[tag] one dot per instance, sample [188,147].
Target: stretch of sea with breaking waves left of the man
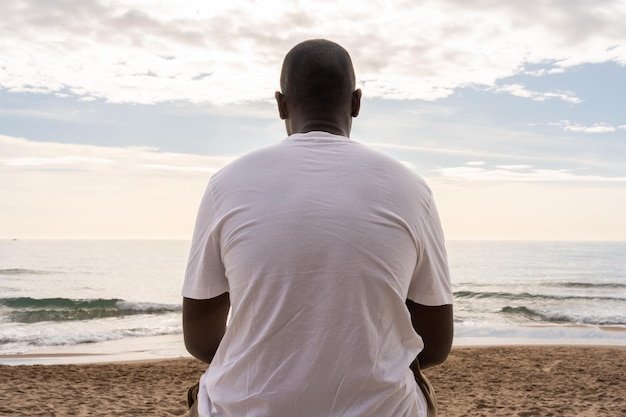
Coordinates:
[74,295]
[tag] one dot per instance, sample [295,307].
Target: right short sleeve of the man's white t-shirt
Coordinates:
[430,284]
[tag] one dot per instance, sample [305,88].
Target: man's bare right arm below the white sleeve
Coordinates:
[435,325]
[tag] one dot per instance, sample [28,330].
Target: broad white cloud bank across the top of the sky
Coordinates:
[220,52]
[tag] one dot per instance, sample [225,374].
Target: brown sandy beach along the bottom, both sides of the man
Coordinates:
[477,381]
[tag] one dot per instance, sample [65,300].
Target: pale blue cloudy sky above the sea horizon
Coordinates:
[115,113]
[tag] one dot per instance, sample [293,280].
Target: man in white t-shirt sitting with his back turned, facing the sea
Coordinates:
[332,259]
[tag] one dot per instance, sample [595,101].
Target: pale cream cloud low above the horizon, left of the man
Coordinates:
[53,189]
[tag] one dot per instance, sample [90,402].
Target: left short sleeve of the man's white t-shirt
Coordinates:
[205,276]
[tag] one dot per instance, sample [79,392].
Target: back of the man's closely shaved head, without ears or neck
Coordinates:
[317,75]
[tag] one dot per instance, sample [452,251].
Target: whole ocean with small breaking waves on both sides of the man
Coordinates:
[106,297]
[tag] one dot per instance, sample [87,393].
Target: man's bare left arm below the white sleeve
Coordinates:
[204,324]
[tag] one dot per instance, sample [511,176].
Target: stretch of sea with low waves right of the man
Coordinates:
[559,292]
